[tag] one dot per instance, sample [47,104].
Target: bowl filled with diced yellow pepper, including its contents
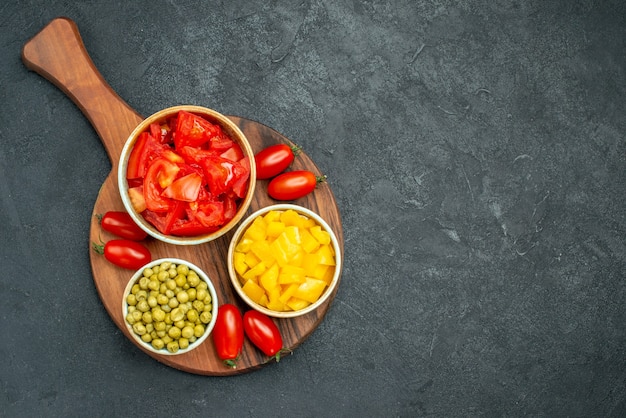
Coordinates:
[284,260]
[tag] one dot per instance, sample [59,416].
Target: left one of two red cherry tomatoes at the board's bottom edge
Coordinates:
[228,334]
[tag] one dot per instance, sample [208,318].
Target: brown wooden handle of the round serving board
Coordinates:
[58,54]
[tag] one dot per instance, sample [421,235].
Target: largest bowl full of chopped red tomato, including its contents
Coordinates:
[187,175]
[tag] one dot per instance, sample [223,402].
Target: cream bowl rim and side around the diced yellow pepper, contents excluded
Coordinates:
[234,275]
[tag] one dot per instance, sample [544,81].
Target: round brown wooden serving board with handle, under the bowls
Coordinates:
[58,54]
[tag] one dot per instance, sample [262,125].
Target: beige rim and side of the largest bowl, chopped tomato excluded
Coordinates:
[229,128]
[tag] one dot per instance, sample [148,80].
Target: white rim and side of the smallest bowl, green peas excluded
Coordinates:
[207,327]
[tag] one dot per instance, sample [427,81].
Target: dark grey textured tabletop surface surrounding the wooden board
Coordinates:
[477,154]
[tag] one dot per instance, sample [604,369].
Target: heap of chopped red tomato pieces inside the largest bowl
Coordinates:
[187,175]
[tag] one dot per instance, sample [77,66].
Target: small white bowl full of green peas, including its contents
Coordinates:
[169,306]
